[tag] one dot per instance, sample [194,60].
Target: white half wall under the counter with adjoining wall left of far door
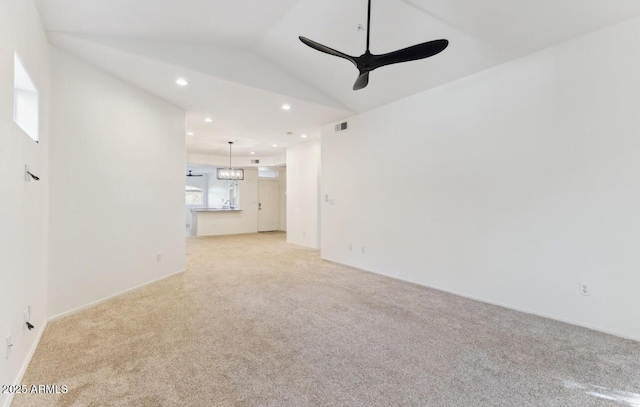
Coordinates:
[231,223]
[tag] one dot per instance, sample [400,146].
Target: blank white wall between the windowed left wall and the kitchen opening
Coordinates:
[117,162]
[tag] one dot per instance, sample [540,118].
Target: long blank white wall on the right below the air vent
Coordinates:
[512,185]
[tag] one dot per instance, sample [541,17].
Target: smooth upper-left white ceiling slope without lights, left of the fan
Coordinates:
[236,22]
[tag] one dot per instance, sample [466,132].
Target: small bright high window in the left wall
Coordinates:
[25,100]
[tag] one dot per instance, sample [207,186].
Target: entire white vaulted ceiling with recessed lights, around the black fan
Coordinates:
[243,58]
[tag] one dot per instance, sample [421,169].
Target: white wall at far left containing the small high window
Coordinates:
[23,205]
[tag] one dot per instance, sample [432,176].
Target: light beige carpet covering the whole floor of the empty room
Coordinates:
[257,322]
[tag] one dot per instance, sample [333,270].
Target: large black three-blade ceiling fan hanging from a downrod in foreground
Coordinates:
[367,62]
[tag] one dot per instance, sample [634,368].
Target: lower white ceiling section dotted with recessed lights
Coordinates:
[250,116]
